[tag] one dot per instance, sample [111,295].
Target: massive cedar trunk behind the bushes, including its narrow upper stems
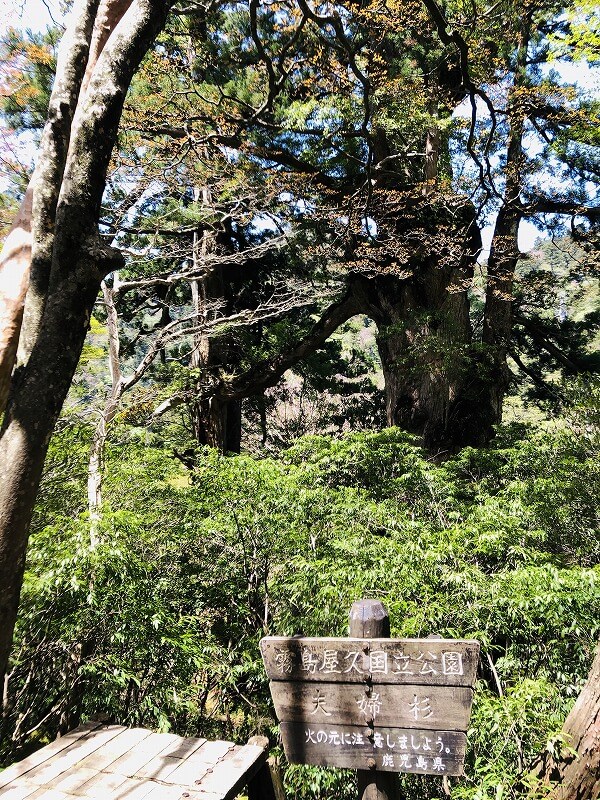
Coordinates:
[424,331]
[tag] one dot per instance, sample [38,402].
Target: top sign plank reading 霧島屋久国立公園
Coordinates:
[422,662]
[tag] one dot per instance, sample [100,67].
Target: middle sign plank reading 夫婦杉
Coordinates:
[432,707]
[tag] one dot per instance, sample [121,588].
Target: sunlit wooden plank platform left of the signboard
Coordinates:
[110,762]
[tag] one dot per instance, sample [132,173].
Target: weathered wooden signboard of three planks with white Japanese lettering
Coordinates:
[397,705]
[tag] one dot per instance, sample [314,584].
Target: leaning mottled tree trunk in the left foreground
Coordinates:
[79,261]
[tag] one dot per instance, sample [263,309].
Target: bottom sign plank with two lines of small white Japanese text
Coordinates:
[423,752]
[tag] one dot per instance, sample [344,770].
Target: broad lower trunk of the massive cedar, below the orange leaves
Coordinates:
[424,342]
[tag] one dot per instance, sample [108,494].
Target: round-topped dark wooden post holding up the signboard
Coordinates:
[369,619]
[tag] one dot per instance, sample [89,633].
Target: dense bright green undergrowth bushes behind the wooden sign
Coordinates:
[157,622]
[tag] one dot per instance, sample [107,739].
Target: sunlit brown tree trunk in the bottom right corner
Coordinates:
[574,772]
